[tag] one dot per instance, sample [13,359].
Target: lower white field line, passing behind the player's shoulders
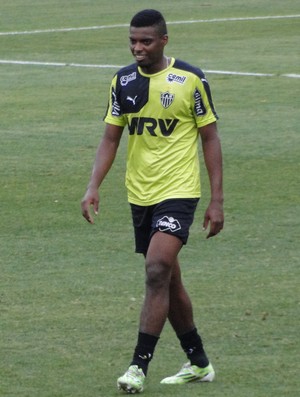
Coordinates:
[95,66]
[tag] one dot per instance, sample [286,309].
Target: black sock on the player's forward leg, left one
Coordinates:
[144,351]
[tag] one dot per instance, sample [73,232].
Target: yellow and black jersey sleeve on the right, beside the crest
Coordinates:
[203,107]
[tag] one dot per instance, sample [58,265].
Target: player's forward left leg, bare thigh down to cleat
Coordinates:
[160,260]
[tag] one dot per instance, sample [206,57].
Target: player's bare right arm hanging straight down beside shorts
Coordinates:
[211,146]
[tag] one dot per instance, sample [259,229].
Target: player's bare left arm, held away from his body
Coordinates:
[105,156]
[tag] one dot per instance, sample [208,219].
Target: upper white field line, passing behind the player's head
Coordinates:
[267,17]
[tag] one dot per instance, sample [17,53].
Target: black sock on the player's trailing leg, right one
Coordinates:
[192,345]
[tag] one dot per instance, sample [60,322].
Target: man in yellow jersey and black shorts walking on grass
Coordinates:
[167,105]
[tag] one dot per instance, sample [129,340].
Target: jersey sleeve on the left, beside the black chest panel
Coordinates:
[114,113]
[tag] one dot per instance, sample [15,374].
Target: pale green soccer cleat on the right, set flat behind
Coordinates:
[191,373]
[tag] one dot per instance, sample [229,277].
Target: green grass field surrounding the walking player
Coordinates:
[70,293]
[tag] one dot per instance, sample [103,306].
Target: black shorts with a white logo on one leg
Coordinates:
[173,216]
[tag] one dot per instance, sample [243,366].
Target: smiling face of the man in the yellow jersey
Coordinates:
[147,47]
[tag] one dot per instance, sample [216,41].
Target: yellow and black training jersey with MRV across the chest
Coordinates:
[163,112]
